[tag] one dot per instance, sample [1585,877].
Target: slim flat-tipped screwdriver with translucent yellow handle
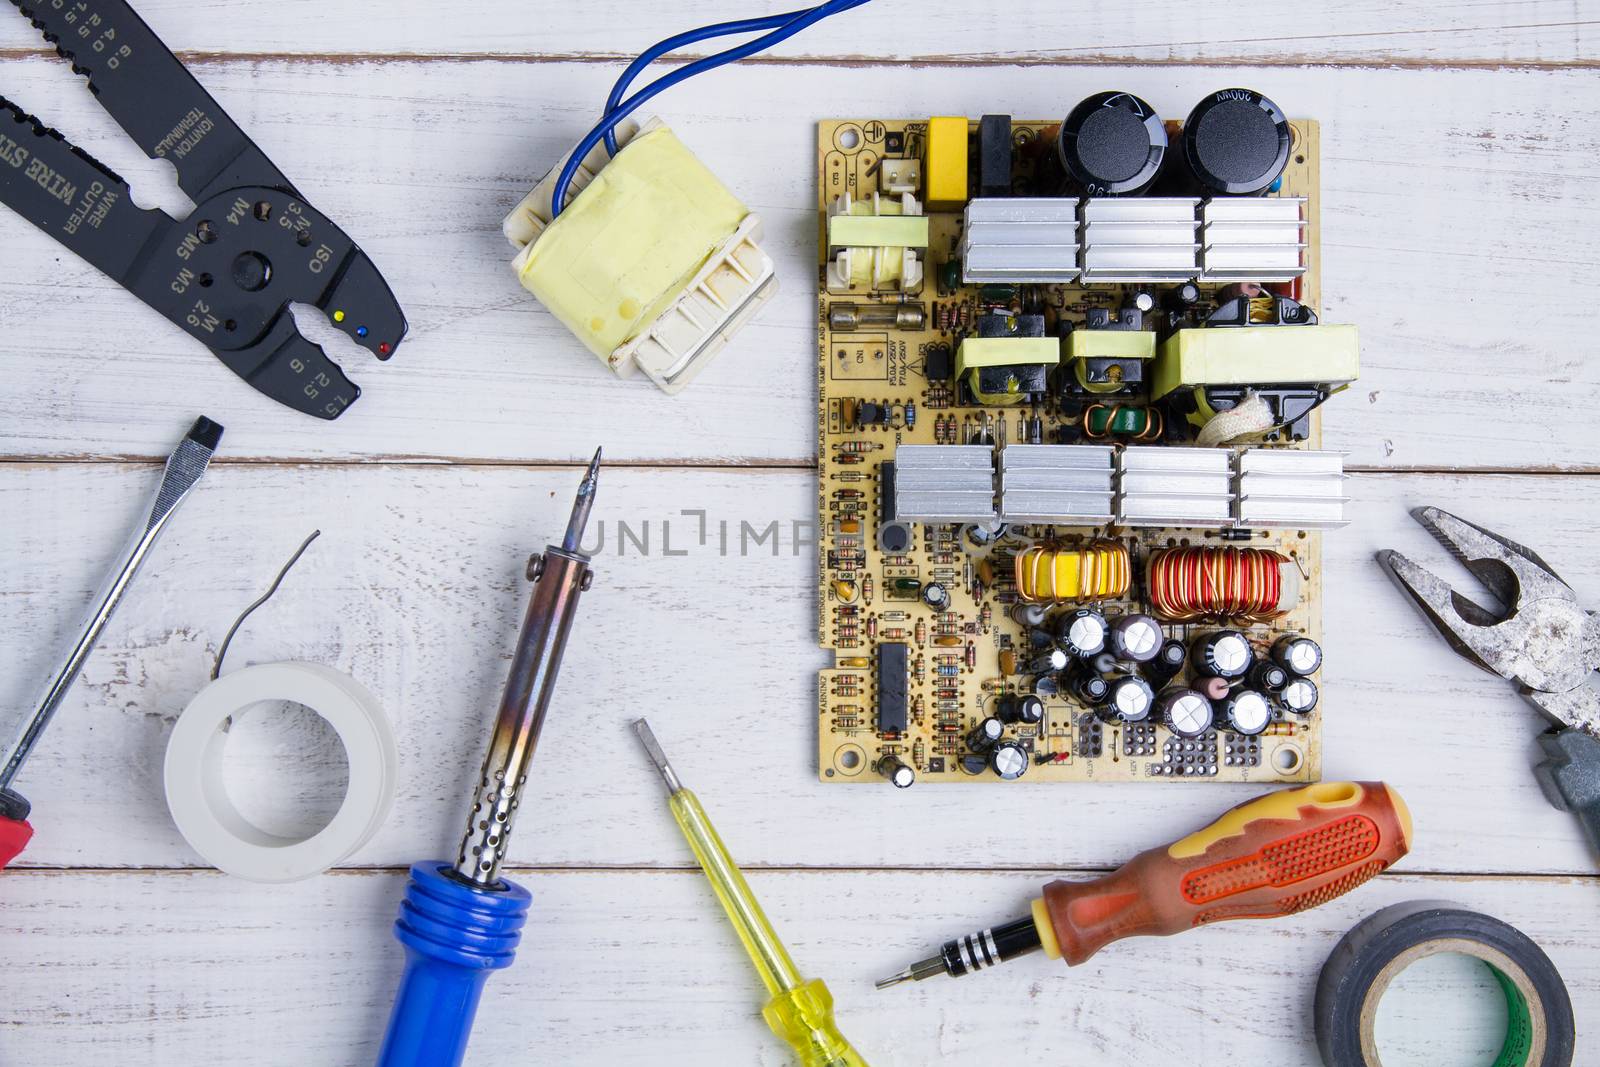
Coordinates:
[801,1012]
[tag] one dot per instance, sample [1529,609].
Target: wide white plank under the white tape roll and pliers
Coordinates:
[417,591]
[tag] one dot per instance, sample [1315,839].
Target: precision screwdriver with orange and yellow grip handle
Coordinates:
[1271,857]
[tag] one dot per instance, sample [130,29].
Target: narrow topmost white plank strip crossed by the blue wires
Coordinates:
[1450,33]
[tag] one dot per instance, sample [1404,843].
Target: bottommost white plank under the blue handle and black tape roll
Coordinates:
[641,969]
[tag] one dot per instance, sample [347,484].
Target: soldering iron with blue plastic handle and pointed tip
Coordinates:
[462,919]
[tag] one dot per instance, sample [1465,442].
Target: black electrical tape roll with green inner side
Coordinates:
[1538,1010]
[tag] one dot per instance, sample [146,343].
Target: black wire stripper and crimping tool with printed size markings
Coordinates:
[226,274]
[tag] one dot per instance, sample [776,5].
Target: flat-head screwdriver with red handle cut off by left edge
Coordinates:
[180,478]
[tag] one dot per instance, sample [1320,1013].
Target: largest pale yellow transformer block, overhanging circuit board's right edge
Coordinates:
[1268,356]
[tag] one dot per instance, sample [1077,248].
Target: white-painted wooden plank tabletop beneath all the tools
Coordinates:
[1460,217]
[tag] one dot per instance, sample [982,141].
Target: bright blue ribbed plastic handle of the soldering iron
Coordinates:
[454,937]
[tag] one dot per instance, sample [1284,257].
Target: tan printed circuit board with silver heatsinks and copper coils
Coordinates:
[988,597]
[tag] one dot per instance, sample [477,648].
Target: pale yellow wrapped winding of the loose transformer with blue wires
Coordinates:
[628,247]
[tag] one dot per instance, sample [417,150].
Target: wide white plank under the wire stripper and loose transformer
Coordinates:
[1457,220]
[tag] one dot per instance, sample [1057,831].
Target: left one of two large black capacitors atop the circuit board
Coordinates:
[1111,146]
